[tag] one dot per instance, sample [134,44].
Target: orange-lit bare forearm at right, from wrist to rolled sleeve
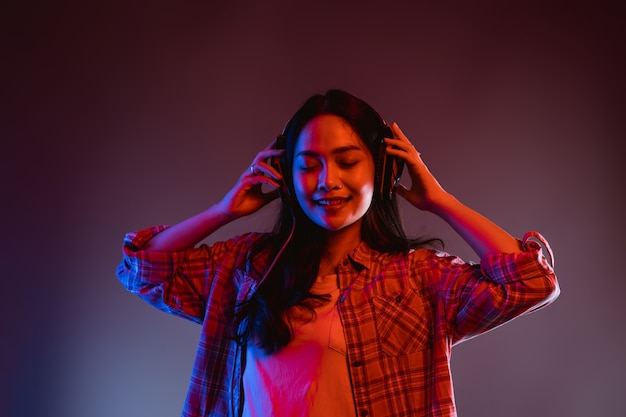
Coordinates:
[480,233]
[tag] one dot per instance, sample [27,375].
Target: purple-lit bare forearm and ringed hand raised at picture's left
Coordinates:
[246,197]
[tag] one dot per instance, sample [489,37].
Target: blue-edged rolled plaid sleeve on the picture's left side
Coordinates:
[179,283]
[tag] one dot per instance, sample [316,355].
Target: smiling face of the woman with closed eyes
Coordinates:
[333,173]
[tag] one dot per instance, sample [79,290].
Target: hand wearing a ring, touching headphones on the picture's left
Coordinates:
[247,195]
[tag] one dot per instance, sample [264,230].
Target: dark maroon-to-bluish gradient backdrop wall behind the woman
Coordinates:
[121,115]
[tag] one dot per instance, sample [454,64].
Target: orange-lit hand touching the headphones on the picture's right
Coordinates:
[425,192]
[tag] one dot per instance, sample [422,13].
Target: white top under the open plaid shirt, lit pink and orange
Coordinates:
[308,377]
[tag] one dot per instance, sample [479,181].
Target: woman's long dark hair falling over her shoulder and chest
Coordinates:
[263,317]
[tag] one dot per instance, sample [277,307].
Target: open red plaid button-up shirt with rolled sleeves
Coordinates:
[401,313]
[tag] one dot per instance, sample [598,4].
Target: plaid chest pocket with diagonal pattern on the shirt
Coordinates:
[403,322]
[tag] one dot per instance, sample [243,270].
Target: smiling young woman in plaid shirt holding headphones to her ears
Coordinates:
[337,312]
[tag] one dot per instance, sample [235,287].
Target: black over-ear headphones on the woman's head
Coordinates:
[388,169]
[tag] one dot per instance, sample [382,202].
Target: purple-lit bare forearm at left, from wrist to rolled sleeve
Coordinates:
[189,232]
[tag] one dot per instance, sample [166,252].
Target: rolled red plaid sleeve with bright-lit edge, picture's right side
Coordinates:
[504,286]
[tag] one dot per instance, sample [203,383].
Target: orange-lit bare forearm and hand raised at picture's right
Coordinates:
[427,194]
